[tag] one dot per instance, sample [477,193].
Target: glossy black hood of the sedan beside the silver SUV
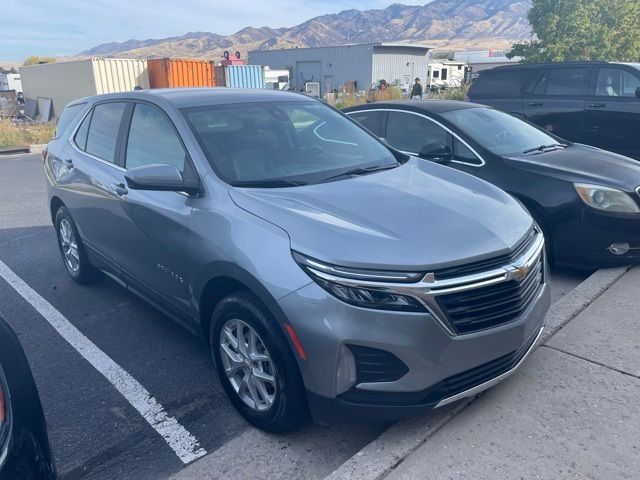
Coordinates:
[582,163]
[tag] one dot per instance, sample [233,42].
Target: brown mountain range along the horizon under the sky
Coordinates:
[448,24]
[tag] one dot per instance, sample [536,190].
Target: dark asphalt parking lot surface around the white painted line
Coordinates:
[95,432]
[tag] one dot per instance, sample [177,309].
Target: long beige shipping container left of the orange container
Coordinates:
[64,82]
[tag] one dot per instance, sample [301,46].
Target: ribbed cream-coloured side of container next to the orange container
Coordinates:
[119,74]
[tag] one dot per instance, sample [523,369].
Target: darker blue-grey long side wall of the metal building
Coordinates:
[337,64]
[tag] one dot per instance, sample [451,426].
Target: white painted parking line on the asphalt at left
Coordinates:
[184,444]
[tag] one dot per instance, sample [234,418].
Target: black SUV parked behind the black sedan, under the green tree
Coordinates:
[597,103]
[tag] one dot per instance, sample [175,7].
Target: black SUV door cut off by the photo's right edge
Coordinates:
[613,110]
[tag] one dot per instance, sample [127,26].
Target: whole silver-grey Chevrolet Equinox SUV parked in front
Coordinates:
[330,274]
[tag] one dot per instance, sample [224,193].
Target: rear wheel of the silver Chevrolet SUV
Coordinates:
[75,260]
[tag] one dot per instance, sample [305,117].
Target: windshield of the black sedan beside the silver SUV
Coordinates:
[499,132]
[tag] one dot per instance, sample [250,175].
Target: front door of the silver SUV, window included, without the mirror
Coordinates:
[154,224]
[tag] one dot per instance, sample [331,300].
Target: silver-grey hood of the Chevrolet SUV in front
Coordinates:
[414,217]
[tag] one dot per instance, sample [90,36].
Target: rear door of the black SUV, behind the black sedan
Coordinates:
[557,101]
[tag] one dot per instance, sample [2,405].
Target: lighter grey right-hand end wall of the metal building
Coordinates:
[399,63]
